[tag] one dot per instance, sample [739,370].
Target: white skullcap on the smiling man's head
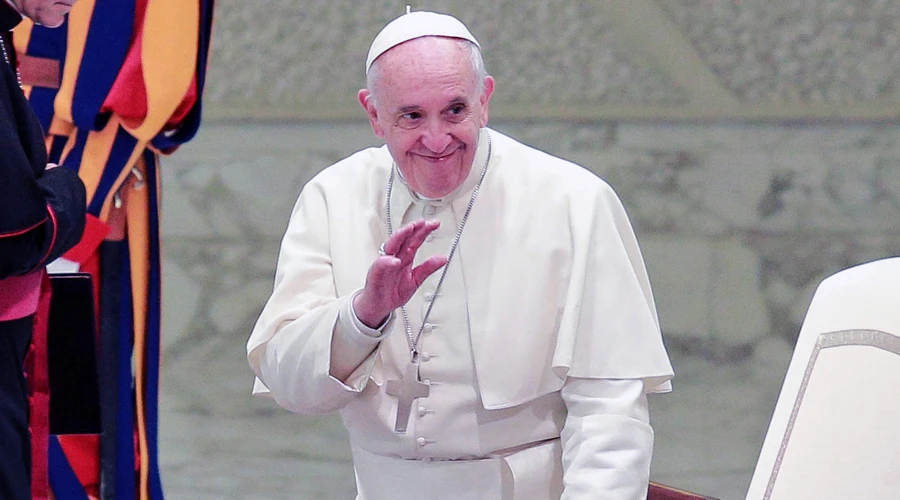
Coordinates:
[416,25]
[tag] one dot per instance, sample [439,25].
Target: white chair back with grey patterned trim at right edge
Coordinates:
[835,431]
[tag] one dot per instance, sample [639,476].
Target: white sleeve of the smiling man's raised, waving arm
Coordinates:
[305,327]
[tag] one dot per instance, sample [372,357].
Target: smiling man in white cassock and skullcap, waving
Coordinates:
[477,310]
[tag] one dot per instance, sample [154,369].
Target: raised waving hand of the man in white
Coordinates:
[392,280]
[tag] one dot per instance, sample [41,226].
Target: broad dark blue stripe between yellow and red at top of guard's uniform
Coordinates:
[108,40]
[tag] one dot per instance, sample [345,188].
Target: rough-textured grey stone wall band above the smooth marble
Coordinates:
[578,58]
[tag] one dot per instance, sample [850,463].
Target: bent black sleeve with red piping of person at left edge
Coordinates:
[65,198]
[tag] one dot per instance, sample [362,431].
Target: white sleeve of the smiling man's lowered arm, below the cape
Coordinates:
[607,440]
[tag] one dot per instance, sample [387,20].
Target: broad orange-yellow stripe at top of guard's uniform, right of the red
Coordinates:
[169,58]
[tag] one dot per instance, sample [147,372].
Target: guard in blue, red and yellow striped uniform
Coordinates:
[116,87]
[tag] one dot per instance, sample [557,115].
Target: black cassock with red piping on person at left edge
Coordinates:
[41,216]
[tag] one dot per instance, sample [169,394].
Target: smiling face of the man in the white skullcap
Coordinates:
[429,109]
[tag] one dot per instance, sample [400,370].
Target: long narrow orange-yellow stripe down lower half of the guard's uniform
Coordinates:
[138,229]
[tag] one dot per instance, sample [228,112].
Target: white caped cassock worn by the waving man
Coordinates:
[540,349]
